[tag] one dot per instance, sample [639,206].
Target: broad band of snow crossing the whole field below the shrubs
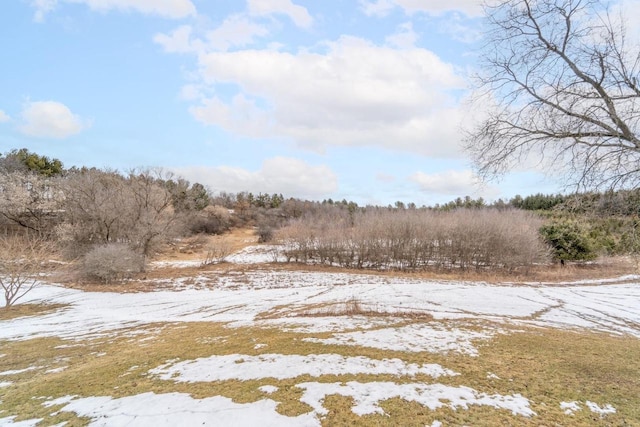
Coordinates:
[240,297]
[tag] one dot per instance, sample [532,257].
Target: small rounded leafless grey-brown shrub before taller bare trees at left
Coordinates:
[112,262]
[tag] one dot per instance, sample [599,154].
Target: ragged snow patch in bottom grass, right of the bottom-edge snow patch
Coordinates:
[367,396]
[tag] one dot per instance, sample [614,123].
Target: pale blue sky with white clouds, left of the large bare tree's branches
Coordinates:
[363,100]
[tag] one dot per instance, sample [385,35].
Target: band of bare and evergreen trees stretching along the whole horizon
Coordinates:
[83,210]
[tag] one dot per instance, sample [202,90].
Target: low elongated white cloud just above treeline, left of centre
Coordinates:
[291,177]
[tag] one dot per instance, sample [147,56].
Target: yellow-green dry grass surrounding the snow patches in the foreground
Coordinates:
[545,366]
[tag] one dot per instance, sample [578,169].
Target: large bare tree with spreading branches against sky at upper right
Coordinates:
[563,77]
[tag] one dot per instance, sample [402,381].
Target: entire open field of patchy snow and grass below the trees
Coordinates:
[248,343]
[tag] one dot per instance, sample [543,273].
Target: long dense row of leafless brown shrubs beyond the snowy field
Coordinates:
[412,239]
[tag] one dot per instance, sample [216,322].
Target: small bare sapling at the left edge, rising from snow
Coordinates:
[21,260]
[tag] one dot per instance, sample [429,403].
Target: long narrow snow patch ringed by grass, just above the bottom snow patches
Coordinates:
[245,367]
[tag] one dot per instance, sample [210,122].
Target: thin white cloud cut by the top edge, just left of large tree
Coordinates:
[432,7]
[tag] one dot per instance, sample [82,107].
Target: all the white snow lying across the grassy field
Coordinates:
[464,314]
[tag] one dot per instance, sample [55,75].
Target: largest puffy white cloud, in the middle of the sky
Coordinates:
[354,94]
